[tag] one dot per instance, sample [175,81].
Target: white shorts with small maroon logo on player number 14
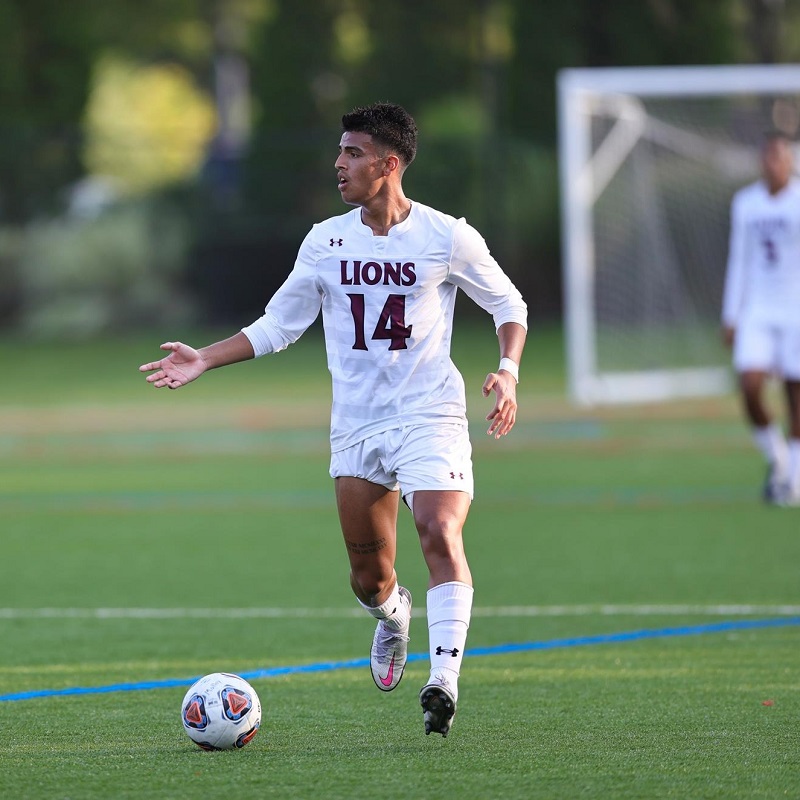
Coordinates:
[434,457]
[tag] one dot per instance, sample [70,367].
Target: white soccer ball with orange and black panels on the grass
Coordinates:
[221,712]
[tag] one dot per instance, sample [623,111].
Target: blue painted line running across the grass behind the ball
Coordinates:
[359,663]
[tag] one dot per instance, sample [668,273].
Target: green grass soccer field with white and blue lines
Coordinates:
[154,536]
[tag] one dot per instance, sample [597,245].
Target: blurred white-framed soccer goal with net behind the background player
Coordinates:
[649,161]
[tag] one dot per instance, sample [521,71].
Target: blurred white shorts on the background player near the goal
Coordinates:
[767,348]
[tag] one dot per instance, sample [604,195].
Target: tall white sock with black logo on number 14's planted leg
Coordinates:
[449,612]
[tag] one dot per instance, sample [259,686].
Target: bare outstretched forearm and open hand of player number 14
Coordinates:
[185,364]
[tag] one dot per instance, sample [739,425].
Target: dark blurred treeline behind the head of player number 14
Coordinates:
[479,75]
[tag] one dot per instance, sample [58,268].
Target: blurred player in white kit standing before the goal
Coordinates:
[761,310]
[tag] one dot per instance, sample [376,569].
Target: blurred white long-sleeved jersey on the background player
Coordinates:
[763,276]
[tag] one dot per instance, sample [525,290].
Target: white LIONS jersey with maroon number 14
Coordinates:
[387,308]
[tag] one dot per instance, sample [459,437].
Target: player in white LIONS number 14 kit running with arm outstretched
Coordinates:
[385,276]
